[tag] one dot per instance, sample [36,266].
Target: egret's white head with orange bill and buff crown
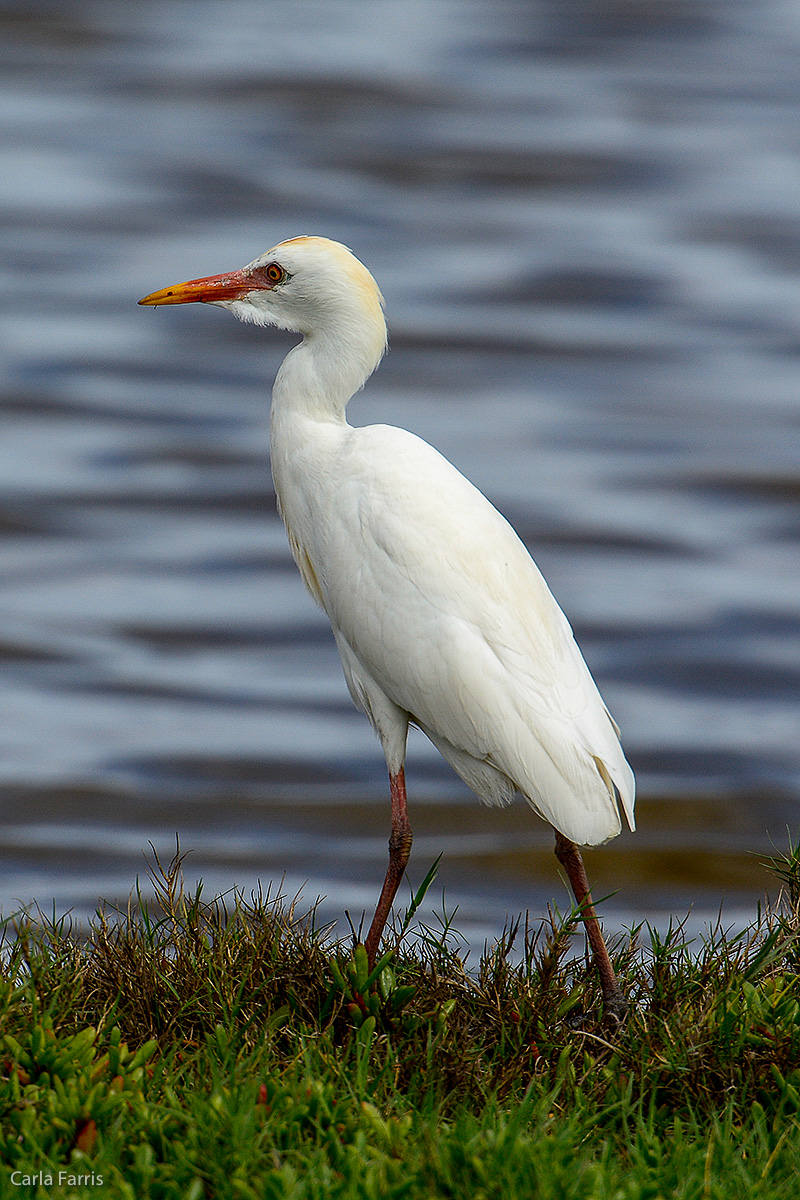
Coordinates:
[309,285]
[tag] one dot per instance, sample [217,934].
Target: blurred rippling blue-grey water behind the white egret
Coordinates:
[586,220]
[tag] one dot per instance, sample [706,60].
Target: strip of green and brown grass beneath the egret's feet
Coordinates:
[233,1049]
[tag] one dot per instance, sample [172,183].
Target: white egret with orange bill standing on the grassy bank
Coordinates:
[441,616]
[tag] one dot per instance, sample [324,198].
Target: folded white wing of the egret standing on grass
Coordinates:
[442,604]
